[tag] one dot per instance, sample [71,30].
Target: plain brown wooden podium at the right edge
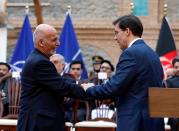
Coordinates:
[164,102]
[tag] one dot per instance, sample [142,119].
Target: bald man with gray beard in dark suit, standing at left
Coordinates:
[43,89]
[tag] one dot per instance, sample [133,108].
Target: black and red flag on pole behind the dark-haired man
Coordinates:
[166,48]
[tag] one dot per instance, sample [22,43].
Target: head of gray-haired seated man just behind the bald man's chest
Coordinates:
[59,62]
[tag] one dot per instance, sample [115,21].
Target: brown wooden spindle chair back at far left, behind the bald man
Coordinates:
[14,89]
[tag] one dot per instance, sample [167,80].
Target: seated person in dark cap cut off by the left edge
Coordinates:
[4,74]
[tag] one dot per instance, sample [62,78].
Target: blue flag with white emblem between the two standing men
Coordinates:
[69,46]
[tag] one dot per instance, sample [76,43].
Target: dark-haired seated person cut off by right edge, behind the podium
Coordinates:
[173,82]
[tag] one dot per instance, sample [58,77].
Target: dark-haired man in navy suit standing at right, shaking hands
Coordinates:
[138,69]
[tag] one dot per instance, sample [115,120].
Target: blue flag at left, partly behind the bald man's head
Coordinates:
[23,47]
